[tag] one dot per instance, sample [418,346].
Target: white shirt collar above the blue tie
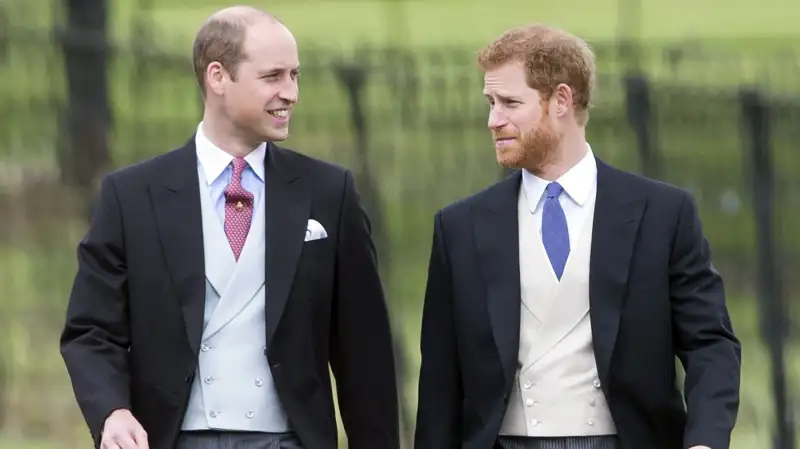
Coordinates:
[577,182]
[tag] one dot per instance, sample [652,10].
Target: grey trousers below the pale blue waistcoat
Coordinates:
[237,440]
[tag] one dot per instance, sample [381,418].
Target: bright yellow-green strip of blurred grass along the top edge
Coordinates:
[470,22]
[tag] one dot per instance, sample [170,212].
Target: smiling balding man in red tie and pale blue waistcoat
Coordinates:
[218,281]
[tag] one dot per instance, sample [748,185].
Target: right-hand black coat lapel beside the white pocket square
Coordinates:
[288,209]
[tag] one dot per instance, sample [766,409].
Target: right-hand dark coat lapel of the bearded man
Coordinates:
[618,212]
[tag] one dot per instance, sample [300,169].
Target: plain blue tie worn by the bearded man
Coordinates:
[555,234]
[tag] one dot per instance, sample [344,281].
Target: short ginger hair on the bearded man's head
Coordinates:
[551,56]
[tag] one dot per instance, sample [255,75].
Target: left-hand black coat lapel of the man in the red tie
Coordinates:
[175,194]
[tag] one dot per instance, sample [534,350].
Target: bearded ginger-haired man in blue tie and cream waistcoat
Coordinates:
[558,298]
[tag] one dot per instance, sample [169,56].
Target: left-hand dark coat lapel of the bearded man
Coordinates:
[496,236]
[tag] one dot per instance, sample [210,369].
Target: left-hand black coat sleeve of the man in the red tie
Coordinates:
[94,342]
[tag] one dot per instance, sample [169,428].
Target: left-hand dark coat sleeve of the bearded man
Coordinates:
[439,411]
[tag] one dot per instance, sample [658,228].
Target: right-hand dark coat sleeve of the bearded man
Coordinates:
[705,342]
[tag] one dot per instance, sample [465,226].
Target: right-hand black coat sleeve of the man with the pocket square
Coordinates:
[362,356]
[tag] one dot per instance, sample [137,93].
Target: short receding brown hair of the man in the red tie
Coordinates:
[221,39]
